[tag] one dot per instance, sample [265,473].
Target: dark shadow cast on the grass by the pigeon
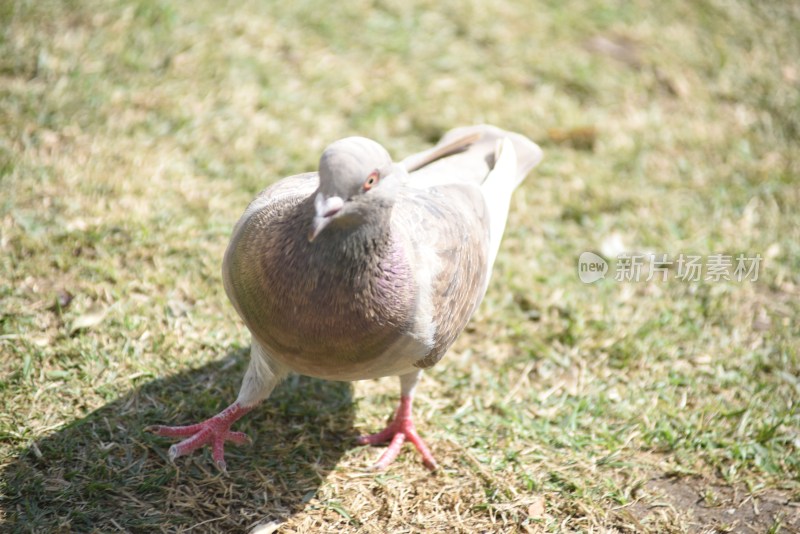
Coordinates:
[104,473]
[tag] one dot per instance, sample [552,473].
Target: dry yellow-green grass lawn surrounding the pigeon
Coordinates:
[133,134]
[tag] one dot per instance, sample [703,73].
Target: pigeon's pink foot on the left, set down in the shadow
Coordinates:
[215,432]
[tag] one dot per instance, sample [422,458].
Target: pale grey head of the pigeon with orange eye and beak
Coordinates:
[356,178]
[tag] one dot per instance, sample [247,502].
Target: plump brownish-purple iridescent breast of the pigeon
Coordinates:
[328,308]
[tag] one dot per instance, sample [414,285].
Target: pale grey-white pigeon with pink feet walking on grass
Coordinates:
[364,269]
